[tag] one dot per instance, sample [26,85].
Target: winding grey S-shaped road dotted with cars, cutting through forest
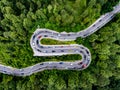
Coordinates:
[55,50]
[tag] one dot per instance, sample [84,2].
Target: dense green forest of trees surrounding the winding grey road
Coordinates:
[20,18]
